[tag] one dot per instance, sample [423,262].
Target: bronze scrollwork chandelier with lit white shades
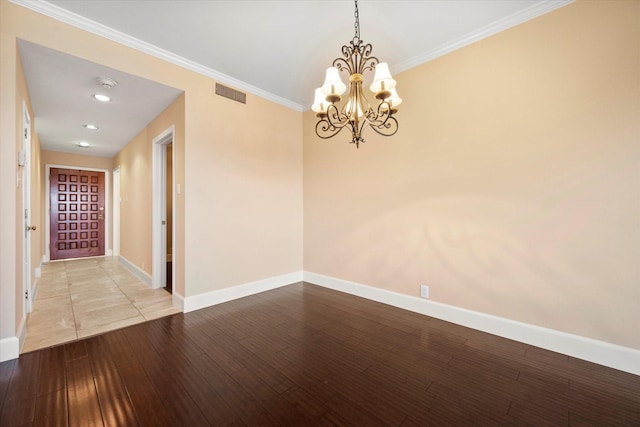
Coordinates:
[356,113]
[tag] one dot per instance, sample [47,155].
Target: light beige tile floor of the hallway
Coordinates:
[80,298]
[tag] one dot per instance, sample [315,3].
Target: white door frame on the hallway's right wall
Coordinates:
[159,204]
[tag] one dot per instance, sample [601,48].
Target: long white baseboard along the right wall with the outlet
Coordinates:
[600,352]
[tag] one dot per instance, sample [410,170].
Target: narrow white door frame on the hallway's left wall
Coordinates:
[25,161]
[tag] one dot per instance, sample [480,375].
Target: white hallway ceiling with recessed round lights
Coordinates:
[61,88]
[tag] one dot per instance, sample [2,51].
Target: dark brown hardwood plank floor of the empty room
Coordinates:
[304,355]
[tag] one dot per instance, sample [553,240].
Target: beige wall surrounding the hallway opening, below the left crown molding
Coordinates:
[241,166]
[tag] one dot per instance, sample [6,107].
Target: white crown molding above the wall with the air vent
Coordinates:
[78,21]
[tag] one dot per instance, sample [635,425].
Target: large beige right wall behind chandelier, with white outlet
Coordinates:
[512,186]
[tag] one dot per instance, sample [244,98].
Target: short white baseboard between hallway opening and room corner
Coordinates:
[208,299]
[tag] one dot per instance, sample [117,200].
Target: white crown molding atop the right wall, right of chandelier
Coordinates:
[538,9]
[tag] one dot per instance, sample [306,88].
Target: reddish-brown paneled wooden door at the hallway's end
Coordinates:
[77,213]
